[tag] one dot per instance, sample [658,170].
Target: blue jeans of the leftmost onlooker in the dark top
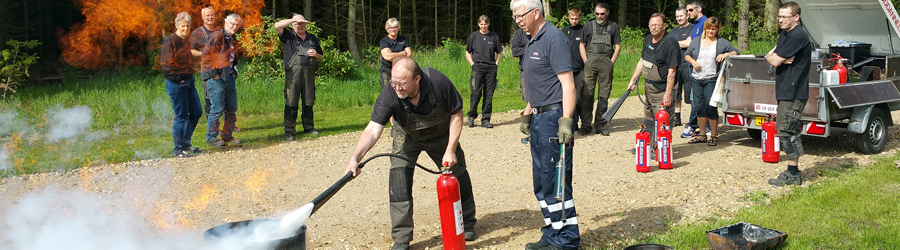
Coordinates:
[186,104]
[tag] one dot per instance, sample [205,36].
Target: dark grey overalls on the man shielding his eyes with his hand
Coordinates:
[300,83]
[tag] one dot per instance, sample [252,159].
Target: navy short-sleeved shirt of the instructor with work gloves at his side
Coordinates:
[547,54]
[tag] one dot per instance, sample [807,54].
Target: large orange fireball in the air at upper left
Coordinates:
[116,30]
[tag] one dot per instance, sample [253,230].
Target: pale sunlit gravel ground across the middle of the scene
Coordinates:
[615,203]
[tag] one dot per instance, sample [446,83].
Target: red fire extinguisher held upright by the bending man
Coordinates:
[451,210]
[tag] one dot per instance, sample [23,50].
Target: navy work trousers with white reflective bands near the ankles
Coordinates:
[544,155]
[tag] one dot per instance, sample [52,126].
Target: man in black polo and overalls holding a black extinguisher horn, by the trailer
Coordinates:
[659,58]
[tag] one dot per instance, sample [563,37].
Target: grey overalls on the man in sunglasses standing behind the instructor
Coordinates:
[597,70]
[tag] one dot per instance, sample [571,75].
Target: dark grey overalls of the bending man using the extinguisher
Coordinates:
[429,133]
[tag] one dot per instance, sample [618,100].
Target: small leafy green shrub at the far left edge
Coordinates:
[14,64]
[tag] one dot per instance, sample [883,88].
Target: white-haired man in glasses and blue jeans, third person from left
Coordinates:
[220,65]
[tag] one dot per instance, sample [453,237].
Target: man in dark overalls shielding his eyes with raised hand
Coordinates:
[302,54]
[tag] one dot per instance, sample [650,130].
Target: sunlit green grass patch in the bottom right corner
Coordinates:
[856,209]
